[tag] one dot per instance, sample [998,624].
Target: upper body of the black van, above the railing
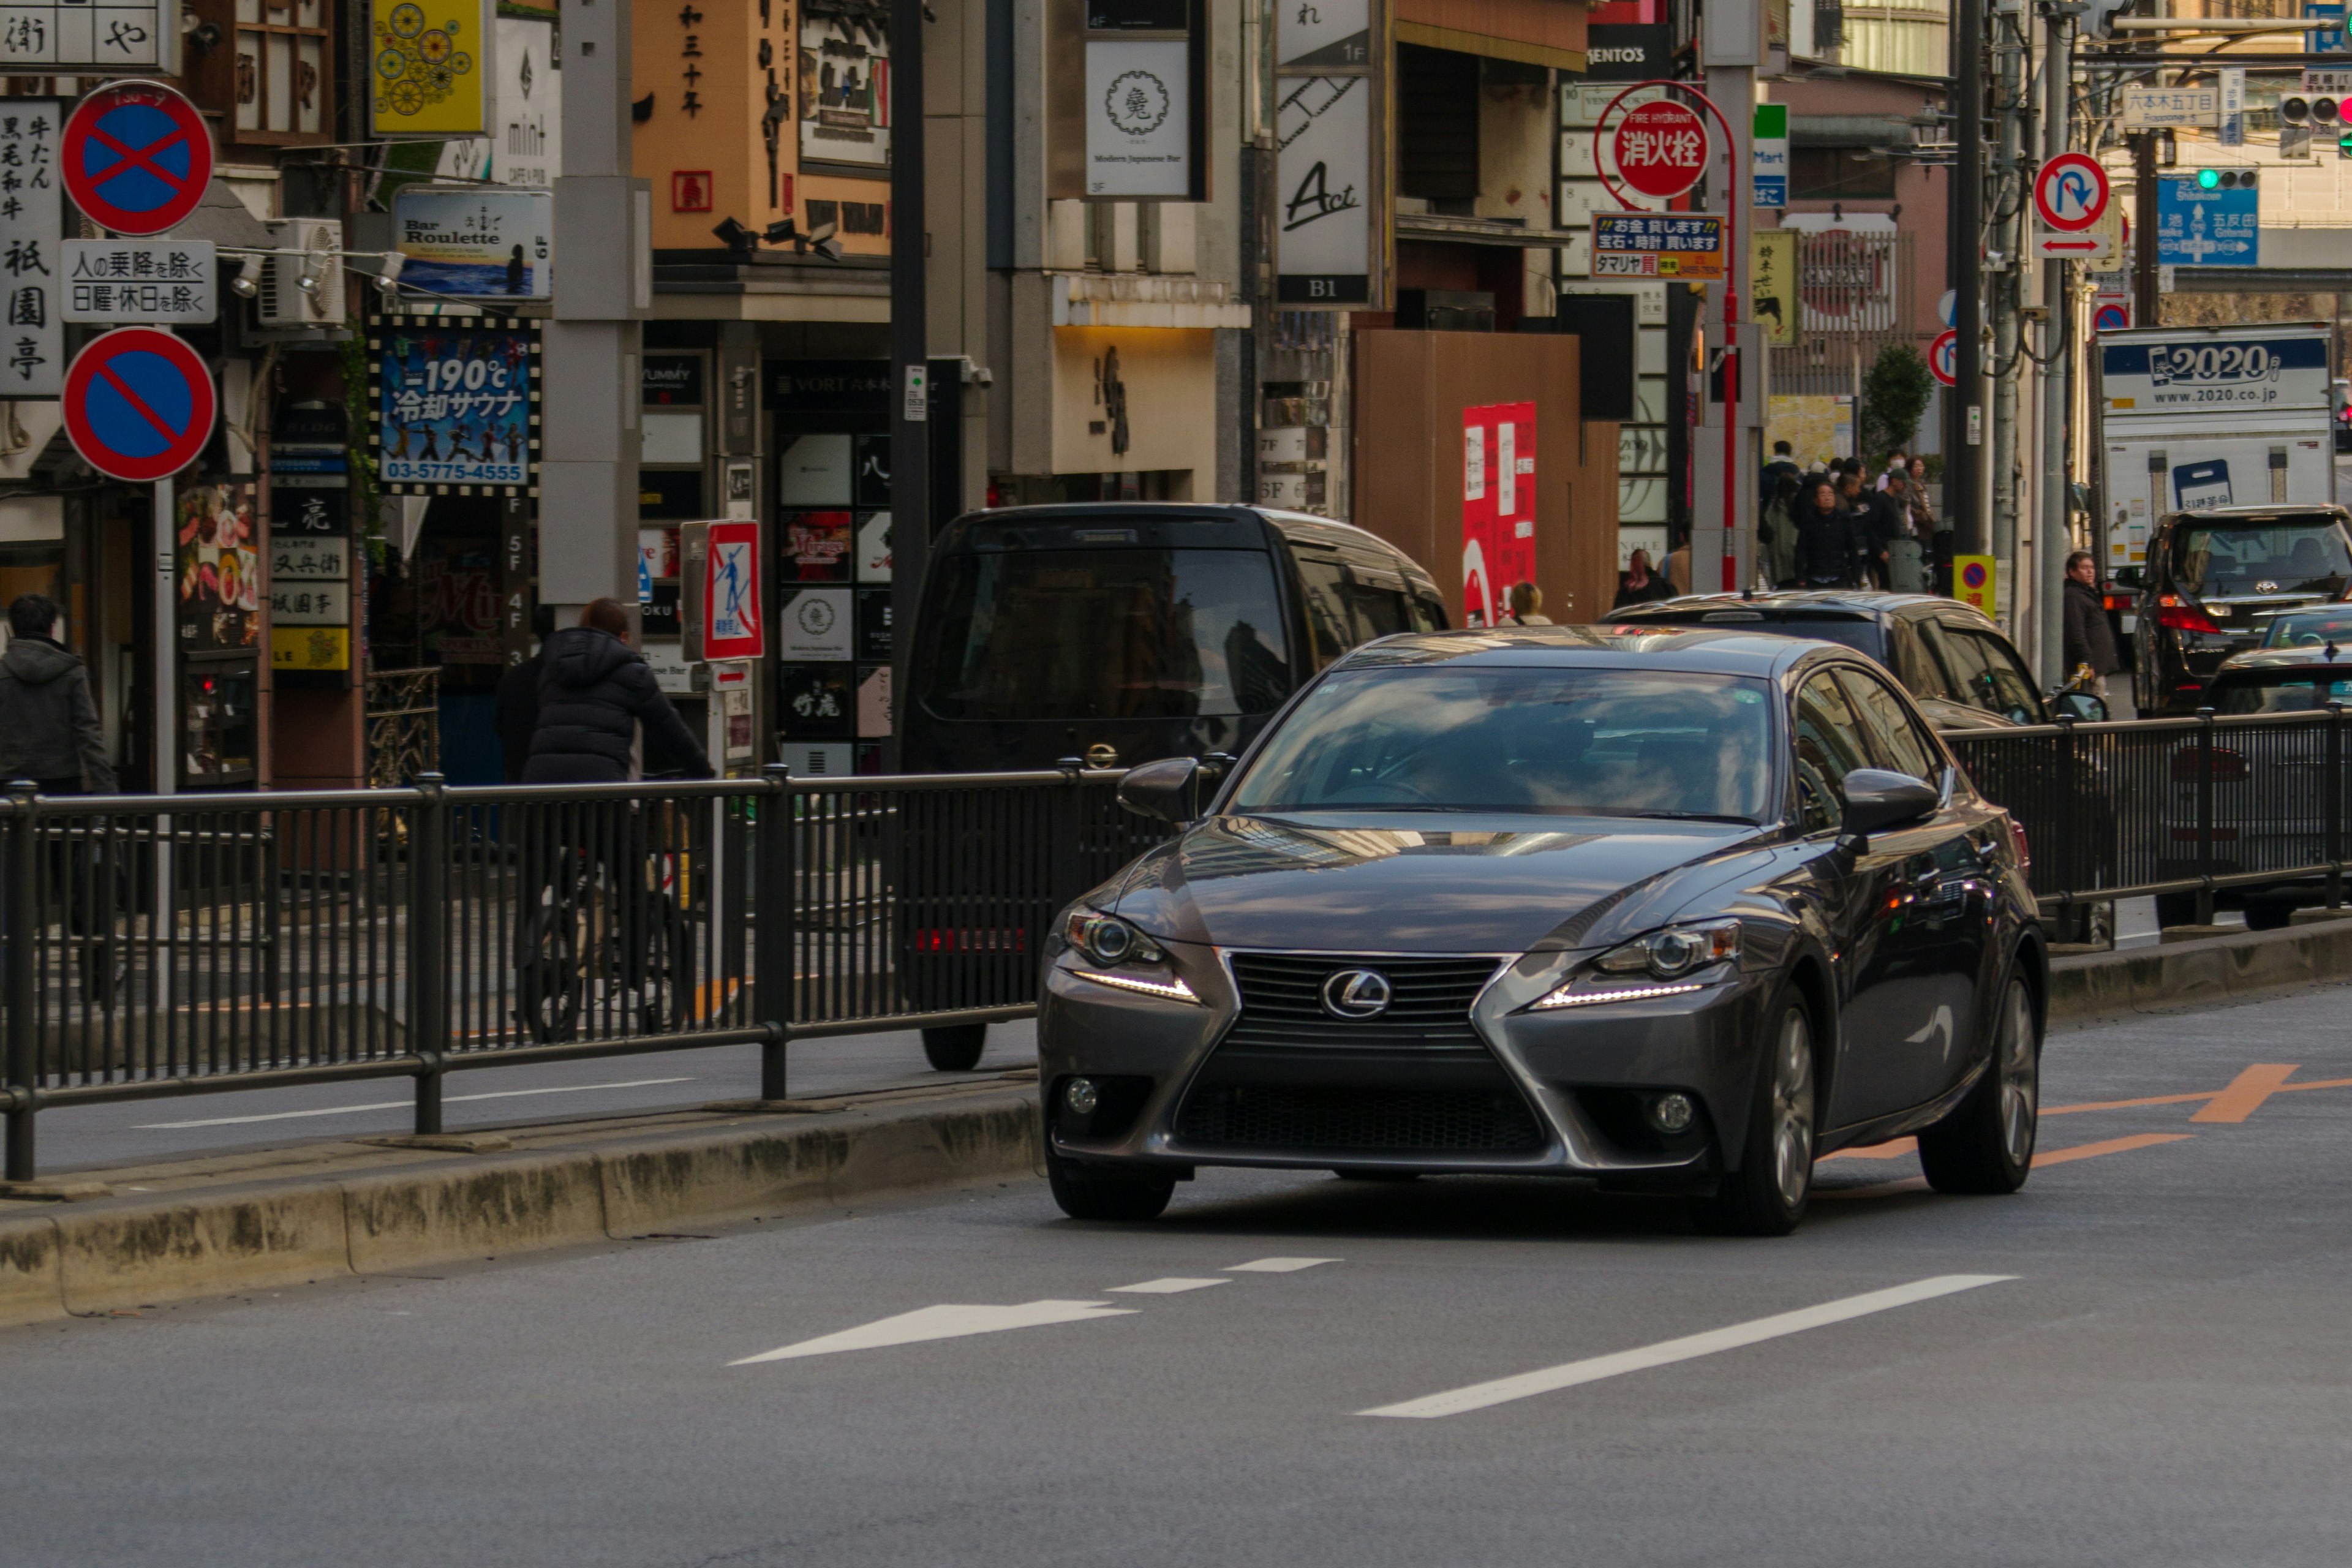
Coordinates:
[1137,631]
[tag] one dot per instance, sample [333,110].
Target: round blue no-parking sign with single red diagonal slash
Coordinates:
[140,406]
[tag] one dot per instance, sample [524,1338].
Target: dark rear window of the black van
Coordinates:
[1111,634]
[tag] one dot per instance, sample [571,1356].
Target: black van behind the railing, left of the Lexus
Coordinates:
[1116,634]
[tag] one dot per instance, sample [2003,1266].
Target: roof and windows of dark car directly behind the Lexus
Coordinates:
[1958,664]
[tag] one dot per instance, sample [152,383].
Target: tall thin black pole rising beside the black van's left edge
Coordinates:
[909,356]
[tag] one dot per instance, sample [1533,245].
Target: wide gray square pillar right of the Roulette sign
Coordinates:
[603,288]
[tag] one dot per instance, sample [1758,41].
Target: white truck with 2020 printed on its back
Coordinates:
[2196,417]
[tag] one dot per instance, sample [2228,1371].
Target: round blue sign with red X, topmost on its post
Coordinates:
[138,159]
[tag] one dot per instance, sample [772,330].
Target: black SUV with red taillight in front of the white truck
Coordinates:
[2212,584]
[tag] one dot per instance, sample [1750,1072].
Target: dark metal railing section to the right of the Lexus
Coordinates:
[2172,808]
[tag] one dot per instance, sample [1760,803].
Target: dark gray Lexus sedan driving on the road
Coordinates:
[1671,913]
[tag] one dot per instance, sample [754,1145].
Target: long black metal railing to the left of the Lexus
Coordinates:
[199,944]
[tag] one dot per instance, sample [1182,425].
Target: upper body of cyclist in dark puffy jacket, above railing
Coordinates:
[594,695]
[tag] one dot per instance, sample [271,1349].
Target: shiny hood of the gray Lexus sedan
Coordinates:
[1417,883]
